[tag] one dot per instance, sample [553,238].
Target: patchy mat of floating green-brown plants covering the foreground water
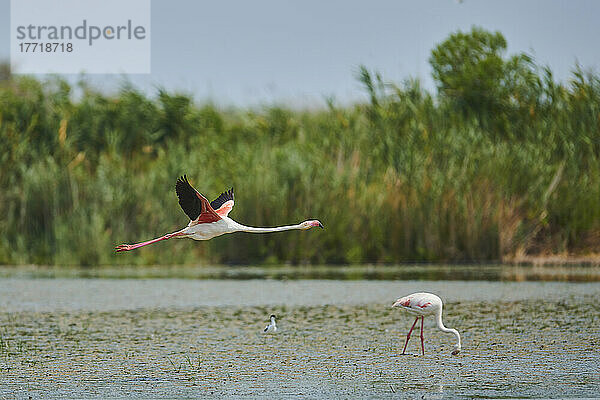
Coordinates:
[537,347]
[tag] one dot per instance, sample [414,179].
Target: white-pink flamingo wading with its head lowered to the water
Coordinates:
[422,304]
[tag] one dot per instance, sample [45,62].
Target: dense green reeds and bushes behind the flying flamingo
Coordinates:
[502,160]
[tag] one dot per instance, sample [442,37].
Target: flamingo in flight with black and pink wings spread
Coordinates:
[208,220]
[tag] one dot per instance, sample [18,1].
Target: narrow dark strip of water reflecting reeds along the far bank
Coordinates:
[507,273]
